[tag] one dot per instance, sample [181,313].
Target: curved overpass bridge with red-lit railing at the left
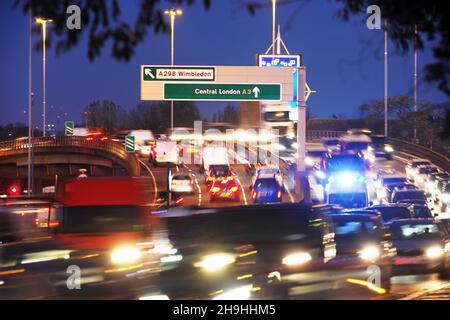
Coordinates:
[64,156]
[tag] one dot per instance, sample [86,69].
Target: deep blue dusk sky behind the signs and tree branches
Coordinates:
[224,35]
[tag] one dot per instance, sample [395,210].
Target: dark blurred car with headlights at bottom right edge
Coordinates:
[423,246]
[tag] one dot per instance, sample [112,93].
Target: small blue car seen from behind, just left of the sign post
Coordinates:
[267,189]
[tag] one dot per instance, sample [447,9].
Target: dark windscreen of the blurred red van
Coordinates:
[81,219]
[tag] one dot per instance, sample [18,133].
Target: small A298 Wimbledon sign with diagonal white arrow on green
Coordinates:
[178,73]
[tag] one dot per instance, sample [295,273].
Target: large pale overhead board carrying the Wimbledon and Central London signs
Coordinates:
[220,83]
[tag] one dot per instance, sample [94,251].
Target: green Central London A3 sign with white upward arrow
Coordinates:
[219,92]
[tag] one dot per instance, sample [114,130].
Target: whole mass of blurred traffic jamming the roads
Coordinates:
[222,227]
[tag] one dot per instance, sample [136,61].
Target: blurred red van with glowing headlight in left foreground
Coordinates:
[101,226]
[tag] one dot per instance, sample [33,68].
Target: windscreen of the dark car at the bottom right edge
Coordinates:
[426,231]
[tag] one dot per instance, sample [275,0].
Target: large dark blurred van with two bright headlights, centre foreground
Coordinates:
[237,253]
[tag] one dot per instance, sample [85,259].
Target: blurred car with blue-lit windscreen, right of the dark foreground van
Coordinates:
[360,243]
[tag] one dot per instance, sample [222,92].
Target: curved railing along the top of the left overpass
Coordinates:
[12,147]
